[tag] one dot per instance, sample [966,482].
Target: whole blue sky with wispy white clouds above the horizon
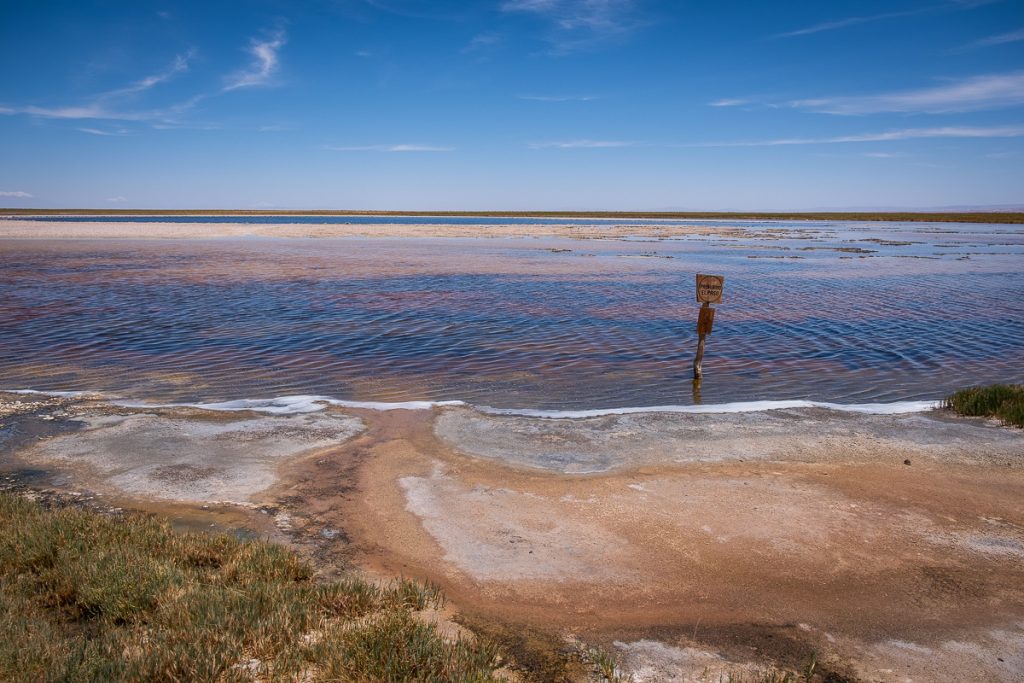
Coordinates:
[517,105]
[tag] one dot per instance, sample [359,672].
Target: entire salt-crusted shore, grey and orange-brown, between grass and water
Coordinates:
[689,544]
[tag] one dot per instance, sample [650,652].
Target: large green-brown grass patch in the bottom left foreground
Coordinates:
[88,597]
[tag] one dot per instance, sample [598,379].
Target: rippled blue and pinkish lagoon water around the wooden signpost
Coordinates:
[843,313]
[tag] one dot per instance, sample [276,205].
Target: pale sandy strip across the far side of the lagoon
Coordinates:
[26,230]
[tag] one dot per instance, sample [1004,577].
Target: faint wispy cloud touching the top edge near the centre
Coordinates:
[576,25]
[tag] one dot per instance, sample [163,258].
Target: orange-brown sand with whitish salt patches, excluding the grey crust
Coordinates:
[889,571]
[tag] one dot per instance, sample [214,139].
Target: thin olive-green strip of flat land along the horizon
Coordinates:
[923,217]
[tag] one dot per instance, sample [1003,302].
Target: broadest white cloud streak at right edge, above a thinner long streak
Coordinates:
[979,93]
